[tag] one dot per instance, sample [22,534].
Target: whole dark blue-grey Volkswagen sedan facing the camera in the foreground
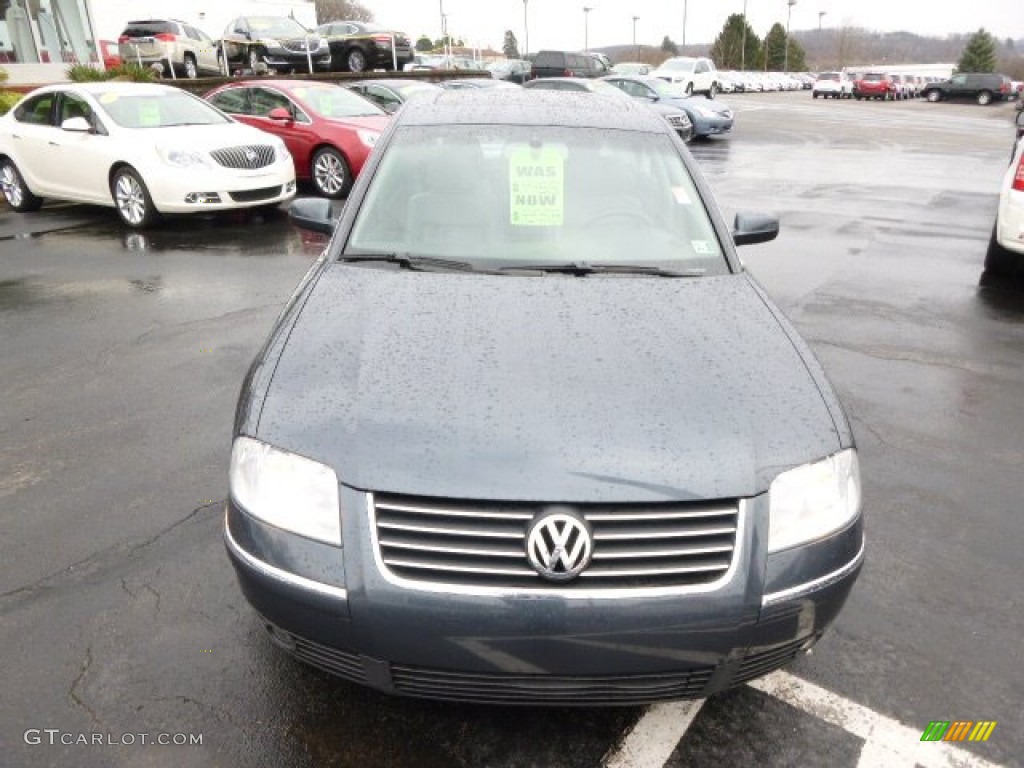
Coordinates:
[528,433]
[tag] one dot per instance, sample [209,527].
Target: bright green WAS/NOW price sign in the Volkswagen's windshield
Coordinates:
[537,193]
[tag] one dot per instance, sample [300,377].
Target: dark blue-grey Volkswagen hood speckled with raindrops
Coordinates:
[558,389]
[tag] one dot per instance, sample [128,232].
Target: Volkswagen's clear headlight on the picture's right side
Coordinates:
[814,501]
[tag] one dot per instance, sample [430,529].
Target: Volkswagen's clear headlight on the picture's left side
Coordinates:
[287,491]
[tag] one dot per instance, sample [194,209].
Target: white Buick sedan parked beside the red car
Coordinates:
[144,149]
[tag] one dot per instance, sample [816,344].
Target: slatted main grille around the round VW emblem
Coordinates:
[484,544]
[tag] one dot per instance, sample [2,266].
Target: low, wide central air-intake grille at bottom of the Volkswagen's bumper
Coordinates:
[550,690]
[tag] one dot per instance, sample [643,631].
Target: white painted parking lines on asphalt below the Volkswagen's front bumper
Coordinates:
[888,744]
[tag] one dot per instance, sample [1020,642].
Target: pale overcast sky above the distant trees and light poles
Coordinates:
[560,24]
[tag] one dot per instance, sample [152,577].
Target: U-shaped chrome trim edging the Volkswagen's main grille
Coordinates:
[575,594]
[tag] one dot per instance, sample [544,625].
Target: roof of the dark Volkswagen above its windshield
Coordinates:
[486,107]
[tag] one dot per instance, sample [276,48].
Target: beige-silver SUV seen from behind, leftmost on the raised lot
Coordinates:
[180,49]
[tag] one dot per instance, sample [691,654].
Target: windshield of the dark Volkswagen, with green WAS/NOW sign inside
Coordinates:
[534,196]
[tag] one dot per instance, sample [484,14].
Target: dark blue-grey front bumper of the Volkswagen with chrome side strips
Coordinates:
[336,610]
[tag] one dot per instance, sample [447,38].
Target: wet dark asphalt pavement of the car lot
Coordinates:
[123,355]
